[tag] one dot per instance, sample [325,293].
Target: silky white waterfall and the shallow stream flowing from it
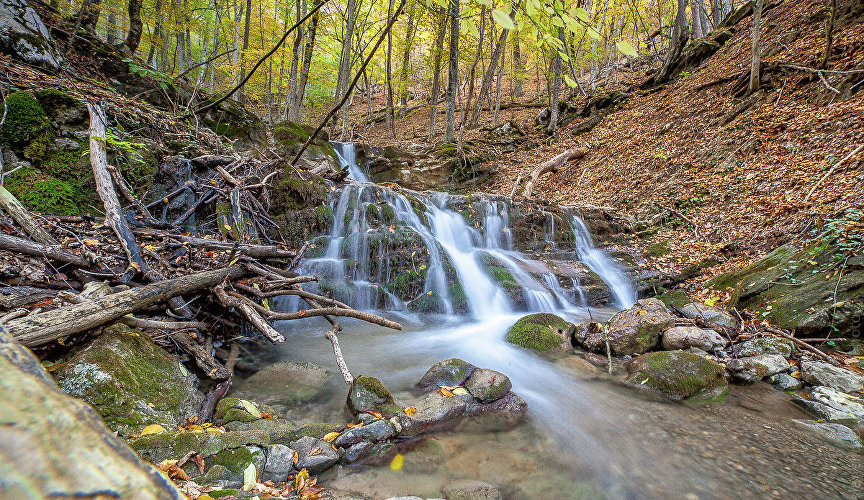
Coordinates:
[586,435]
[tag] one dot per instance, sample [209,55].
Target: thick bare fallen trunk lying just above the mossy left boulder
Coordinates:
[42,328]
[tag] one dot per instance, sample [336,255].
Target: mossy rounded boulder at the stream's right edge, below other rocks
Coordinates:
[679,375]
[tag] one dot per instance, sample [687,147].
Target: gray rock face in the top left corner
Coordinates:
[24,37]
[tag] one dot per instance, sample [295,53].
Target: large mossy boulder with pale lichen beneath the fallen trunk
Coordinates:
[131,381]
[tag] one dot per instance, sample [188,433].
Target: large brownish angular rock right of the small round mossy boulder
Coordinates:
[632,331]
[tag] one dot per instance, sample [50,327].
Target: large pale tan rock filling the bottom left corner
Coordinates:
[56,446]
